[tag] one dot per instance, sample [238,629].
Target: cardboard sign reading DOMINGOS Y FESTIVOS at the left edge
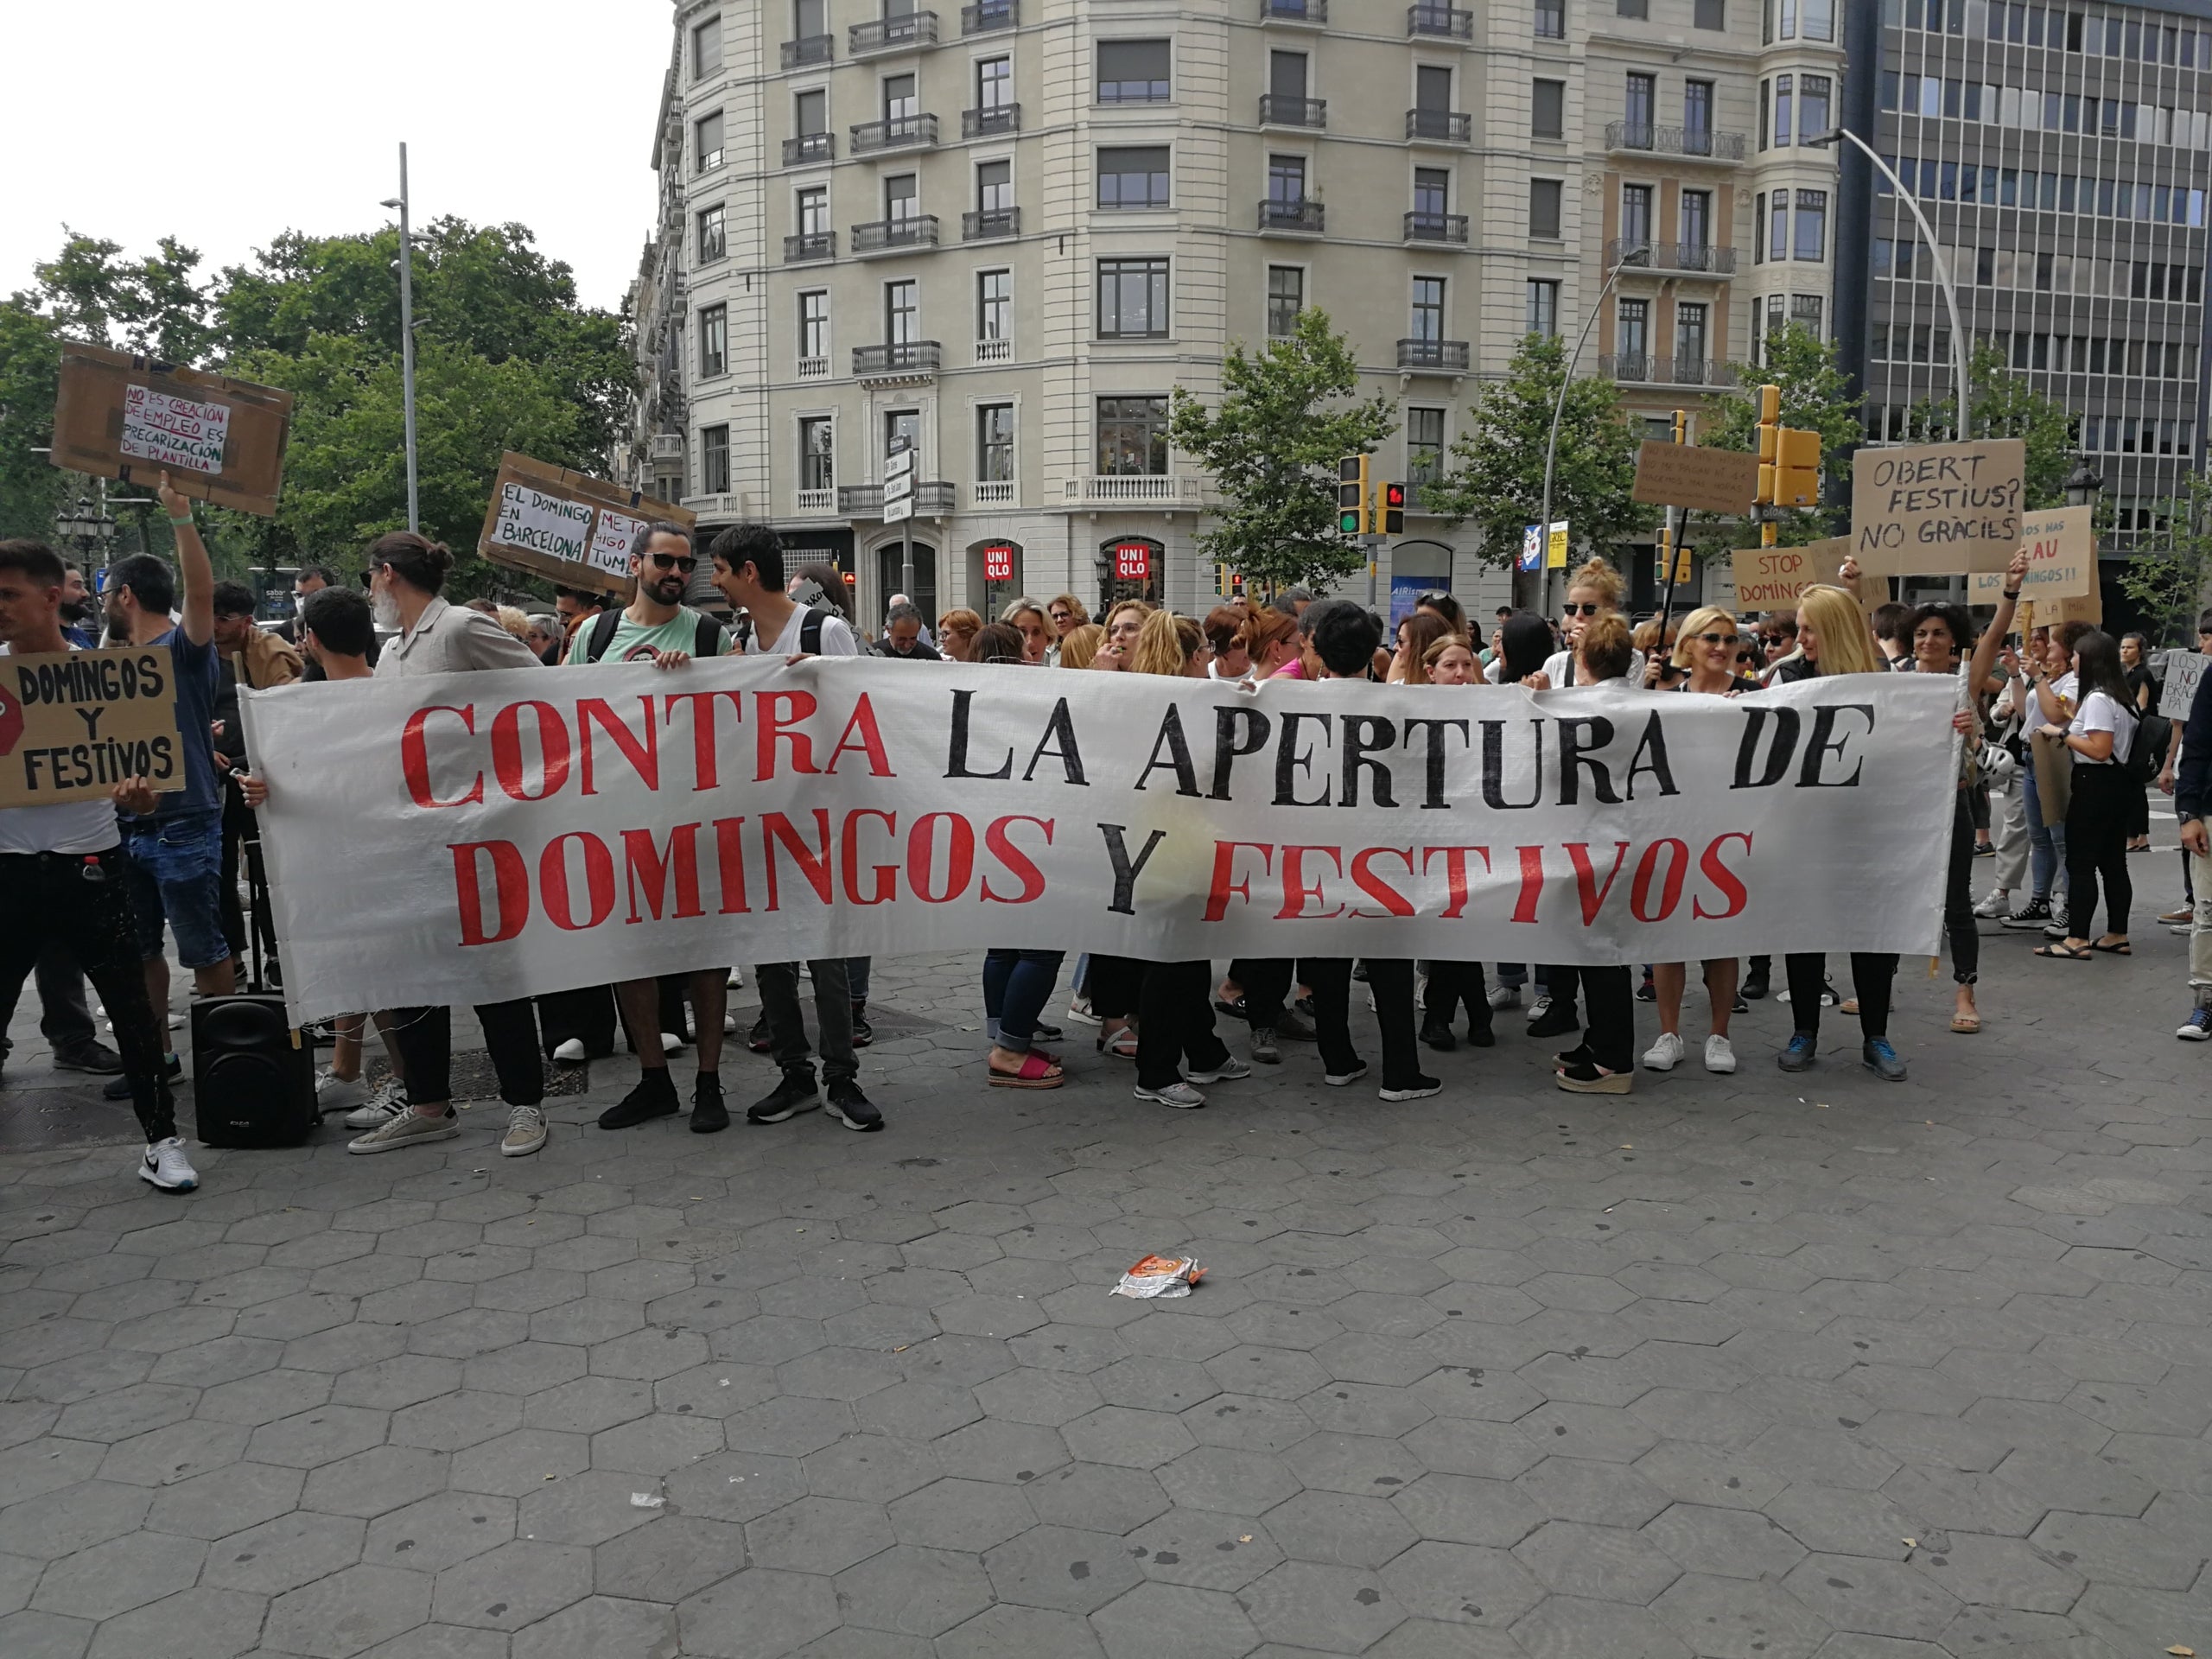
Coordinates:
[74,724]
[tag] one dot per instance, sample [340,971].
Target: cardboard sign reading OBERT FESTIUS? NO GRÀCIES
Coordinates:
[1937,510]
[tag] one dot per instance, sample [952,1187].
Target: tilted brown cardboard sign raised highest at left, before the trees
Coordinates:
[218,439]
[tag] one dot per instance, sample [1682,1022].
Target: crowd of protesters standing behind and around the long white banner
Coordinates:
[87,890]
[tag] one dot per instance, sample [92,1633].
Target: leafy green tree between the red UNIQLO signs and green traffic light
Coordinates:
[1284,421]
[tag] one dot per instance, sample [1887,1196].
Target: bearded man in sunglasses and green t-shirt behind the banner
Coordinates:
[656,627]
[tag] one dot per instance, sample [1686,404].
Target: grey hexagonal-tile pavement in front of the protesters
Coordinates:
[1738,1368]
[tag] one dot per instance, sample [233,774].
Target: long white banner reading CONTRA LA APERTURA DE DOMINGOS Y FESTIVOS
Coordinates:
[512,833]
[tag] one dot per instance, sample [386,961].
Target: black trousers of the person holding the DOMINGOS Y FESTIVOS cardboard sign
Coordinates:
[81,901]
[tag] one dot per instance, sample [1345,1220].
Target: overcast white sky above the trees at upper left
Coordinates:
[289,114]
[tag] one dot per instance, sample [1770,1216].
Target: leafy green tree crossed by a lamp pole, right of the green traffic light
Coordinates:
[1496,470]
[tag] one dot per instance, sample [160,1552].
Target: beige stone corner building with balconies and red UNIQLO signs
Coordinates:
[1003,233]
